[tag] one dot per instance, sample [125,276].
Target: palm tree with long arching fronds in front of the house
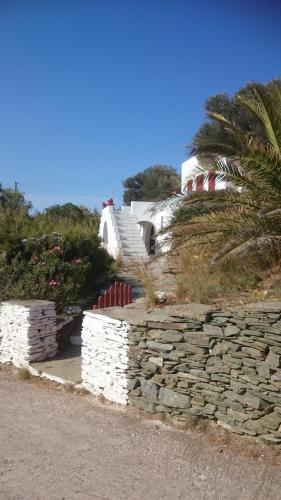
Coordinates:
[247,215]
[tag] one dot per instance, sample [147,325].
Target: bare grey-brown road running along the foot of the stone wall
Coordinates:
[56,445]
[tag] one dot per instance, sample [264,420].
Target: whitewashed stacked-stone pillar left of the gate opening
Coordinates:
[28,331]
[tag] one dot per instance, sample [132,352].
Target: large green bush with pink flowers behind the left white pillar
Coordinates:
[62,268]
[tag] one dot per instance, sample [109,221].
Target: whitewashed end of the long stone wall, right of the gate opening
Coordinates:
[105,356]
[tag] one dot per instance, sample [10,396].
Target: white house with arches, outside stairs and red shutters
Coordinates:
[132,232]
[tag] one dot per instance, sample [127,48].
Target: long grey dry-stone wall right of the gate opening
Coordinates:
[192,360]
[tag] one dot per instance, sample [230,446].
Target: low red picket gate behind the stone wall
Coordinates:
[119,294]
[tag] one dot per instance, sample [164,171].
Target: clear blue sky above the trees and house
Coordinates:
[92,92]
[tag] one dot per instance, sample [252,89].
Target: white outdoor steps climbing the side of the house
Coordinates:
[132,245]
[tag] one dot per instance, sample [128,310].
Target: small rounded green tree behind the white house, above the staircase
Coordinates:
[153,184]
